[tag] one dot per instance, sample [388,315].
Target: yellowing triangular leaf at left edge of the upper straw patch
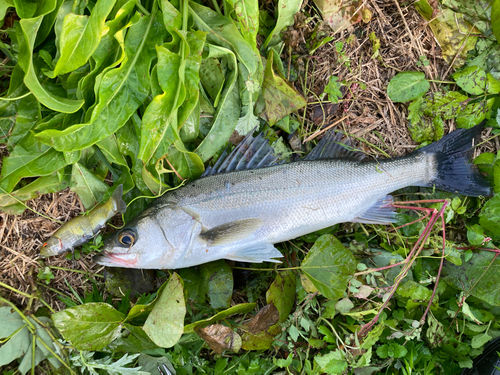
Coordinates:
[280,99]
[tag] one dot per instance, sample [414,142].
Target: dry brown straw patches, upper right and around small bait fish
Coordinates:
[368,114]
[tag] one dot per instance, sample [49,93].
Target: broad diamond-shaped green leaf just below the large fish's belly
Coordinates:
[329,265]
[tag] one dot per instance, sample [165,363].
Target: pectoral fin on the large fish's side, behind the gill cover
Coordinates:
[230,232]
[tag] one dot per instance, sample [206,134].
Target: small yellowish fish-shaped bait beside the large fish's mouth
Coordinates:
[82,228]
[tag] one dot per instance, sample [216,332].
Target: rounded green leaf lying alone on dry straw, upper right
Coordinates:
[406,86]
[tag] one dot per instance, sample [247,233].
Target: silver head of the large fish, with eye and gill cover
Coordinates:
[150,241]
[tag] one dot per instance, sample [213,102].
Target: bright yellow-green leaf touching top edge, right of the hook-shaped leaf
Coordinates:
[80,37]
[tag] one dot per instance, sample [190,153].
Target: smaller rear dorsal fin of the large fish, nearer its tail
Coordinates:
[330,147]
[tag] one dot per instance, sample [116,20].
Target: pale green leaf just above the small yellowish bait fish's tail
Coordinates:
[89,188]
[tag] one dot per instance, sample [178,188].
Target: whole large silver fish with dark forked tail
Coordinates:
[247,203]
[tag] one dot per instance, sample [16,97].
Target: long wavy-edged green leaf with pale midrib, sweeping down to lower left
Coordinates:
[121,91]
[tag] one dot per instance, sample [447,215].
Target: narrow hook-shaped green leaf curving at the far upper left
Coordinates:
[30,28]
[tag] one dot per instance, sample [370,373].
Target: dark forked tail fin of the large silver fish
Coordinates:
[455,173]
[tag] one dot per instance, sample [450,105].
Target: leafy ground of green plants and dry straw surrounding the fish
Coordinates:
[146,94]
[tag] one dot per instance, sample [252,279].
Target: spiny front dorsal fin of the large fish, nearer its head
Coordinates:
[252,152]
